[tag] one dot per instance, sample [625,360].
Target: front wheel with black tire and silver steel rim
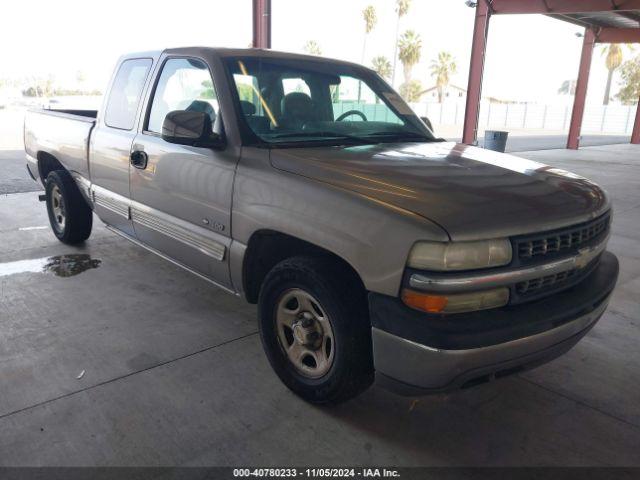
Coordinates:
[316,291]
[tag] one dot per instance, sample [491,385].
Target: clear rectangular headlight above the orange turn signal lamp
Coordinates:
[460,255]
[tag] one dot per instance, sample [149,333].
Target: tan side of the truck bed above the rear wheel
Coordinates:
[62,133]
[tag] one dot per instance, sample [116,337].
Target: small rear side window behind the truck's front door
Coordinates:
[126,92]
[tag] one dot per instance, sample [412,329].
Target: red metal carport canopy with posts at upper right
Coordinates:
[605,21]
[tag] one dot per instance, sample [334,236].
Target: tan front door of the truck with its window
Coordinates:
[181,195]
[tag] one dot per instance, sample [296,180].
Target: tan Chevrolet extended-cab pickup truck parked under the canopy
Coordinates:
[373,249]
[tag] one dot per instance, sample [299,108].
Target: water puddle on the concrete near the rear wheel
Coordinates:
[60,265]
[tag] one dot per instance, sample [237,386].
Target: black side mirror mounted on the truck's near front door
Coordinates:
[190,128]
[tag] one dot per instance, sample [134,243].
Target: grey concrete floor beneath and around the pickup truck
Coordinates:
[175,374]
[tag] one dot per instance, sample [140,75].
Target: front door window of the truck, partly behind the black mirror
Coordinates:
[184,84]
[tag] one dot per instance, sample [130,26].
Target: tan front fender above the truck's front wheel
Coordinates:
[372,236]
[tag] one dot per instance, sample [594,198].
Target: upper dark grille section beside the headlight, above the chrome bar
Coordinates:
[567,239]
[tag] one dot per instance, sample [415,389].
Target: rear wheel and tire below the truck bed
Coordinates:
[70,216]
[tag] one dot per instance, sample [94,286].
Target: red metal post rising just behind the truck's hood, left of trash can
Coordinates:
[476,67]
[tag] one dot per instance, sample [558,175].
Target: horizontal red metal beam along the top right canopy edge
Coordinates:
[561,6]
